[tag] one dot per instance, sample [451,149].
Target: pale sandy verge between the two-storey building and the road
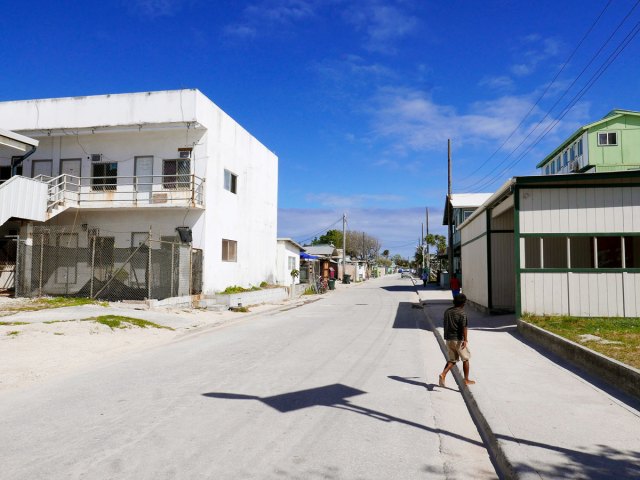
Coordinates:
[37,351]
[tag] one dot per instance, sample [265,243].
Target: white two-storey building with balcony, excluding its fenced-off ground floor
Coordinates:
[130,163]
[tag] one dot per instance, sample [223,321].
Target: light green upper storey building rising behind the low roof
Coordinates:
[608,145]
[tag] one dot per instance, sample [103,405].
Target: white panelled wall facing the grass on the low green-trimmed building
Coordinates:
[612,211]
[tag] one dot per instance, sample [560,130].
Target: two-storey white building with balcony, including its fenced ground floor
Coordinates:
[117,168]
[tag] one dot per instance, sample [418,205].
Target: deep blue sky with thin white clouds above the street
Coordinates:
[357,98]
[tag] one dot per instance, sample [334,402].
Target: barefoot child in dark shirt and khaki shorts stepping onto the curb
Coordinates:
[455,336]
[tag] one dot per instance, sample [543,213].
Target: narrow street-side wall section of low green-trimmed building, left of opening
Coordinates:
[474,260]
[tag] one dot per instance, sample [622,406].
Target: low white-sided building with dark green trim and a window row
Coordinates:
[557,245]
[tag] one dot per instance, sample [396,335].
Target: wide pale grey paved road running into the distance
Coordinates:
[339,389]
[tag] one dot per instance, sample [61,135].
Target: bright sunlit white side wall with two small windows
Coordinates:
[250,216]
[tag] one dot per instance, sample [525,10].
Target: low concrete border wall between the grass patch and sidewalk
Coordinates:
[618,375]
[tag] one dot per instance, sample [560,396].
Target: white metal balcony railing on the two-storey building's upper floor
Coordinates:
[178,190]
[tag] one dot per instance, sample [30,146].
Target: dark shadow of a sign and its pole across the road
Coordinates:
[332,396]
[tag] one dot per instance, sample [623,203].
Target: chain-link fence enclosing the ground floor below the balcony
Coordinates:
[96,264]
